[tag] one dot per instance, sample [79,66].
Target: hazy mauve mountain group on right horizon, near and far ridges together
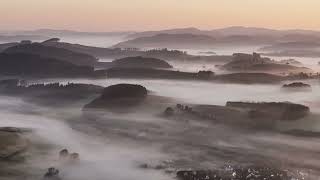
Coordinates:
[225,37]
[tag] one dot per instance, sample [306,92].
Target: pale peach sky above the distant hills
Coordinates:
[111,15]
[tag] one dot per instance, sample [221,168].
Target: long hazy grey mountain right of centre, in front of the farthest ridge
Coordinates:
[189,41]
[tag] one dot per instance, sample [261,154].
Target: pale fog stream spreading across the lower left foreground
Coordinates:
[101,158]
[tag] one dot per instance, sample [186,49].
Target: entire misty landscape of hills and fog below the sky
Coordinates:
[180,104]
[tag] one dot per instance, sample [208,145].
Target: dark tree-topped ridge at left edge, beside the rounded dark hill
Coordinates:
[53,94]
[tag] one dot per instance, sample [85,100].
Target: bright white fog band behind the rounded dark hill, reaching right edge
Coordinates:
[196,92]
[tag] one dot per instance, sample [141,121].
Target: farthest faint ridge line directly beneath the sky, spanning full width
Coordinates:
[228,31]
